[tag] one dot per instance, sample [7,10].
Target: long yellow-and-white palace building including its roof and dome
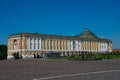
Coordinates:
[28,45]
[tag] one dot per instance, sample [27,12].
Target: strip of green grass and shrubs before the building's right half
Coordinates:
[95,56]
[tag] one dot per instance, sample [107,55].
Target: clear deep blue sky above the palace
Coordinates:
[62,17]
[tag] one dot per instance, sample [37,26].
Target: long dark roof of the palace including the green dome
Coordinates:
[86,35]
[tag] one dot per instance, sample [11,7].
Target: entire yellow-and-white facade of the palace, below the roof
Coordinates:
[38,46]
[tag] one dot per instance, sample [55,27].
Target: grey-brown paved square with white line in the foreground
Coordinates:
[36,69]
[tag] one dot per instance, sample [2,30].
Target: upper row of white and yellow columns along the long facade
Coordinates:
[66,45]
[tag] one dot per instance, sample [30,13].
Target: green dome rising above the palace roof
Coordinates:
[87,34]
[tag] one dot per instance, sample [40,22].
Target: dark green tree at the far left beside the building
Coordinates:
[3,52]
